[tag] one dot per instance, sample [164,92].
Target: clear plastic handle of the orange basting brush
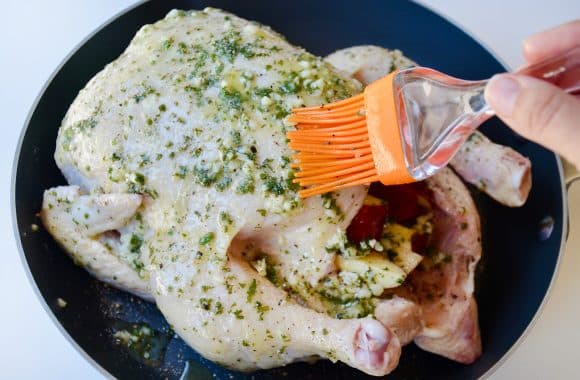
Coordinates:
[437,113]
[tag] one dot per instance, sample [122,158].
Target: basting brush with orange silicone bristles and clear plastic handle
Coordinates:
[402,128]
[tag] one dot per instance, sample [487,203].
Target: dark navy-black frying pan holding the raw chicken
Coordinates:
[518,264]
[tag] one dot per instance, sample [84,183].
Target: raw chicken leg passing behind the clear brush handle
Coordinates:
[499,171]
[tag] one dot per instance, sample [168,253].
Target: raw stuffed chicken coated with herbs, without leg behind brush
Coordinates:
[180,191]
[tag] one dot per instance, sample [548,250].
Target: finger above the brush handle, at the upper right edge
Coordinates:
[552,42]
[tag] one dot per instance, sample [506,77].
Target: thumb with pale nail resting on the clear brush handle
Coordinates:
[538,111]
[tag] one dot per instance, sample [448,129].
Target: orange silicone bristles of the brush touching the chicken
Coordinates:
[333,147]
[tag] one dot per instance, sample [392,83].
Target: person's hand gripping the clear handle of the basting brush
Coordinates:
[534,108]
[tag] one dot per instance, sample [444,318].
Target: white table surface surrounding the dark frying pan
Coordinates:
[35,36]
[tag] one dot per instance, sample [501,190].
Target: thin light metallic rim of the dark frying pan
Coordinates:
[104,371]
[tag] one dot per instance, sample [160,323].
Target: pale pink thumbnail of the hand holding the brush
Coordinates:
[501,93]
